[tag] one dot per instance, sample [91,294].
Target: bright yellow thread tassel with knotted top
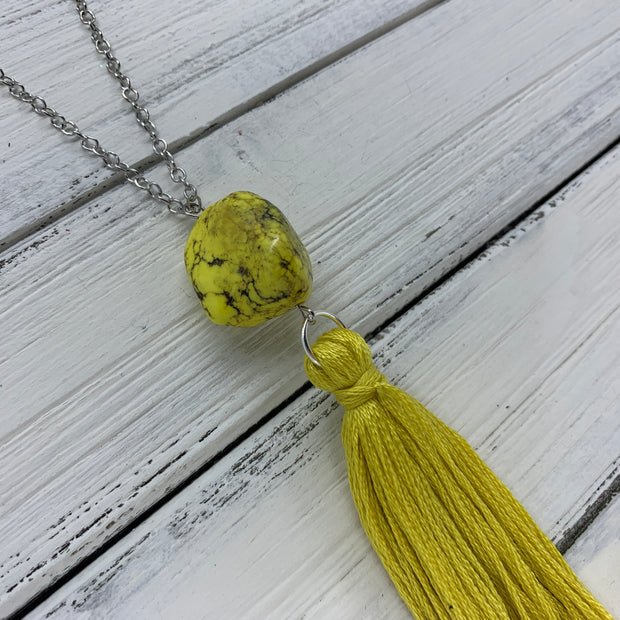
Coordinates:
[452,537]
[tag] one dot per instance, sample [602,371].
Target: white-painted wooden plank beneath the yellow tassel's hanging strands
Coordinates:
[271,532]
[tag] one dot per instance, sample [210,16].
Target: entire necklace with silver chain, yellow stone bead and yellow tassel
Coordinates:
[453,539]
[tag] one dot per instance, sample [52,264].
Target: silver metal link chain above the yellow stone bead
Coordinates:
[190,204]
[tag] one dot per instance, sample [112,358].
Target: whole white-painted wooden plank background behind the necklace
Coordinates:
[155,465]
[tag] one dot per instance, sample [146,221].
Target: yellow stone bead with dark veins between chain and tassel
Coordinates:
[245,261]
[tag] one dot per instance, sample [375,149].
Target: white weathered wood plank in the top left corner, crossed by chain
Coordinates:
[193,64]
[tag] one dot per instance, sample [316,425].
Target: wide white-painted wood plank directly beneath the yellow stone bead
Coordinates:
[391,167]
